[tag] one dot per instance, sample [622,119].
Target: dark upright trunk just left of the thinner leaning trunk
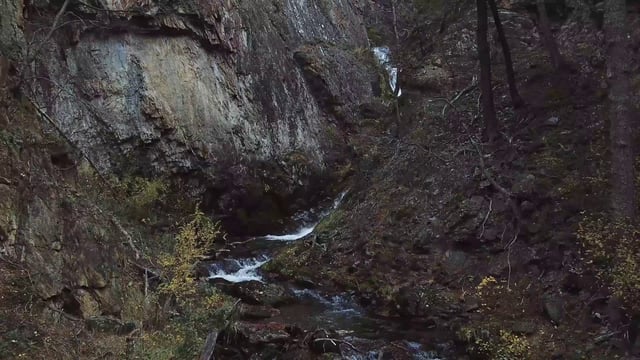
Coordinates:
[488,108]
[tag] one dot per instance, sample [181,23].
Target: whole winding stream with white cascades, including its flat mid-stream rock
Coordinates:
[309,309]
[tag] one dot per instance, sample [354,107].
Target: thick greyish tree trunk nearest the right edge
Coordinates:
[623,194]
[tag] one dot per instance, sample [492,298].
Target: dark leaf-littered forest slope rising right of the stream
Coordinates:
[480,241]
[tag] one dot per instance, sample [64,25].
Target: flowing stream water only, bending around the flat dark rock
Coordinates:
[313,309]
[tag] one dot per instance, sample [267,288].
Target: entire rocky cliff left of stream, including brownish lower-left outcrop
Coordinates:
[241,105]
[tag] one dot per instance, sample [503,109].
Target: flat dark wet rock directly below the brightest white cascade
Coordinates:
[257,293]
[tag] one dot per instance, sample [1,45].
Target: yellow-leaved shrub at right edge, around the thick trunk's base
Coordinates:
[611,246]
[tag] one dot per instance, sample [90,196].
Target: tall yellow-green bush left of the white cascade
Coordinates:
[201,308]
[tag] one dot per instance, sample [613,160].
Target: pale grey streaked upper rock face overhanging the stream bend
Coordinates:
[208,89]
